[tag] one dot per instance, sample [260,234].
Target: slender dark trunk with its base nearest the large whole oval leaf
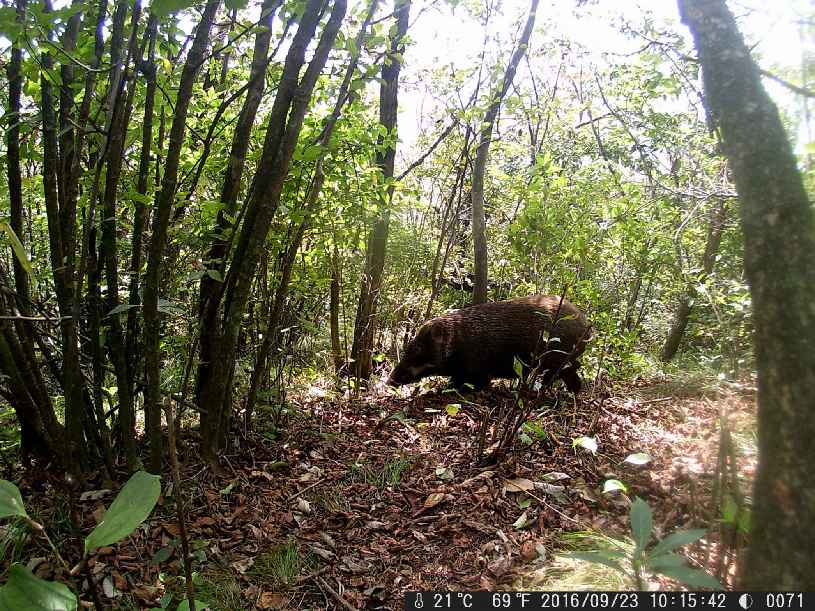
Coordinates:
[158,239]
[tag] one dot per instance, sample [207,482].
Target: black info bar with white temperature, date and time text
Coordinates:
[511,601]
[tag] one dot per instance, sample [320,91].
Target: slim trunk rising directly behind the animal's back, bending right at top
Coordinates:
[480,165]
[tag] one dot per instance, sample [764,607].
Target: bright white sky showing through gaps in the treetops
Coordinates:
[450,37]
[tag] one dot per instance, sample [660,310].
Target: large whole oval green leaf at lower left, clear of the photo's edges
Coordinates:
[130,508]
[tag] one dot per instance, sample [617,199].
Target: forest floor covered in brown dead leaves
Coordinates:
[345,509]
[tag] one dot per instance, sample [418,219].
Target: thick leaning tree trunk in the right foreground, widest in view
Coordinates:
[779,239]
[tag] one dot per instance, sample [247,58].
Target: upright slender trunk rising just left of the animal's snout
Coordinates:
[365,322]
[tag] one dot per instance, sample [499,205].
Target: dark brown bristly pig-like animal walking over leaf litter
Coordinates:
[478,343]
